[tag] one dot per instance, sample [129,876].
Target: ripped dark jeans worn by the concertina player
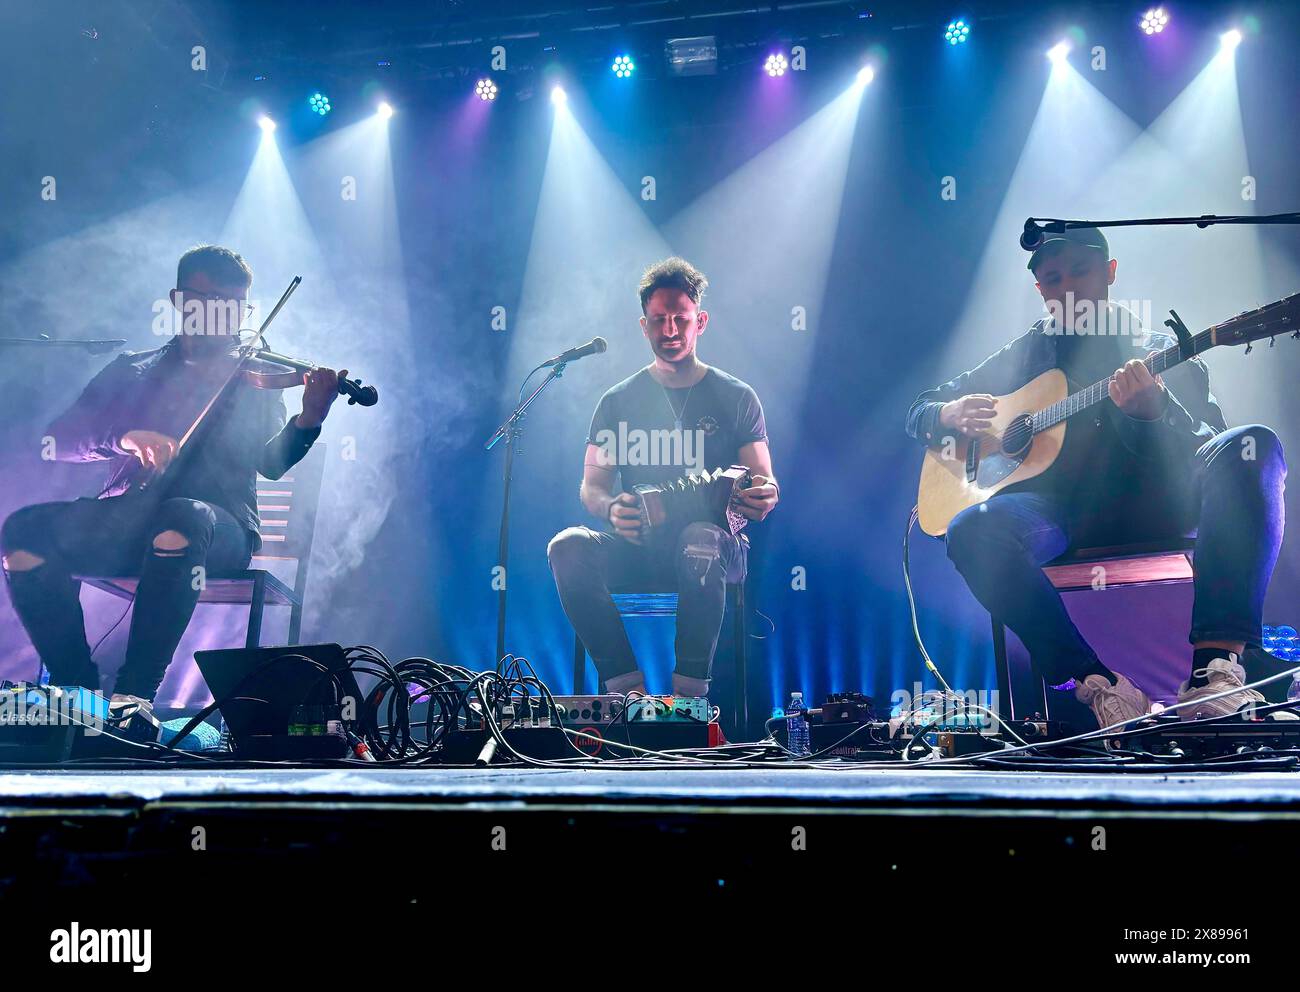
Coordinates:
[699,566]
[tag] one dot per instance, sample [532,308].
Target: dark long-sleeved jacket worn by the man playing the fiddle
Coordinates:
[245,435]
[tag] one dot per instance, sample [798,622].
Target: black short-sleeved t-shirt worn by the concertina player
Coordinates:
[636,426]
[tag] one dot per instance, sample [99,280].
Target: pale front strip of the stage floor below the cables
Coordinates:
[843,789]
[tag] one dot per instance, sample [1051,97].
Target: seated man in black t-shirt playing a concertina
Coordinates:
[700,411]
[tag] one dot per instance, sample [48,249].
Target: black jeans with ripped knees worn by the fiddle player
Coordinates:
[171,548]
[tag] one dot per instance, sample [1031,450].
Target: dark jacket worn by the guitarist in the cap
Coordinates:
[1106,449]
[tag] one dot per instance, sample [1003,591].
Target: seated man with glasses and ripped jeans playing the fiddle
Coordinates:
[197,519]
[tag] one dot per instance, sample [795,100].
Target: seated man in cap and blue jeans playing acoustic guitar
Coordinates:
[1156,462]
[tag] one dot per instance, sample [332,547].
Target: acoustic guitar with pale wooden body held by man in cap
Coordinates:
[1029,426]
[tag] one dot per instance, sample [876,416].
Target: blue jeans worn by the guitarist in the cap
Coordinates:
[1232,503]
